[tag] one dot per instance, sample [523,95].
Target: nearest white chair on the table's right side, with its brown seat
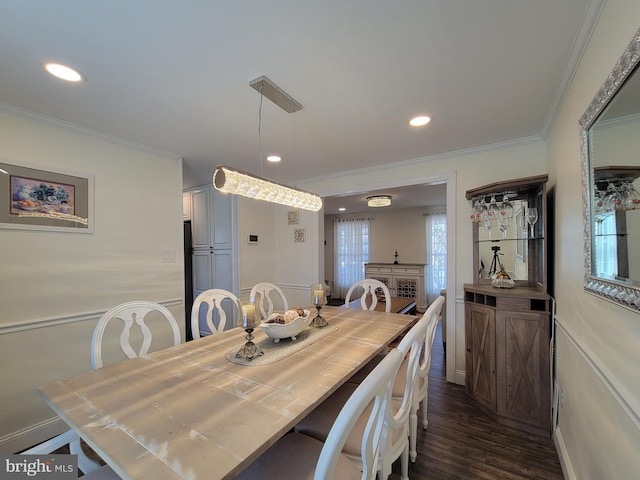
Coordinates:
[297,456]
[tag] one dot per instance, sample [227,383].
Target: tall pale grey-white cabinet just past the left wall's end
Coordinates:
[214,238]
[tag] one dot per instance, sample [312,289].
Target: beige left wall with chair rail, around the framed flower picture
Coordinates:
[54,286]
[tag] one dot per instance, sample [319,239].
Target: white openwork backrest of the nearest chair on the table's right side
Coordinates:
[376,390]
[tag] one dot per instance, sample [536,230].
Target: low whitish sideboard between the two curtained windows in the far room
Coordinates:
[404,280]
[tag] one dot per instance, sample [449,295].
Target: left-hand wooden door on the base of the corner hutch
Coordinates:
[480,329]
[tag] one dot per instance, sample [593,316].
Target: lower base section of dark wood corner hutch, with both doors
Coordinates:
[507,355]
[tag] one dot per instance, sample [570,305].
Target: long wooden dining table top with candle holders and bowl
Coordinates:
[187,412]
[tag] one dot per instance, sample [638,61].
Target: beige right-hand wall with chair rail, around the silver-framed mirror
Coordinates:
[597,342]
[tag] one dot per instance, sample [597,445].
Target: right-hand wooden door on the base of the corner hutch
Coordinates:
[524,378]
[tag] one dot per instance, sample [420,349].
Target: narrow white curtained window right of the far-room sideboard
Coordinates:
[436,230]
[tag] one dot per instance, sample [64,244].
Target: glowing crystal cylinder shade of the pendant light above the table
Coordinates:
[229,180]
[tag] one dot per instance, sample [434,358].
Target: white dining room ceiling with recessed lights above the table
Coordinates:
[175,75]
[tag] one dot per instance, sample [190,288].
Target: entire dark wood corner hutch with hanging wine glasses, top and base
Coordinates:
[507,331]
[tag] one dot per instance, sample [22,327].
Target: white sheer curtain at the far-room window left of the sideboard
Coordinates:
[351,252]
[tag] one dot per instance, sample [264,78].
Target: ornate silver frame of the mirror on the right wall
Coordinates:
[626,294]
